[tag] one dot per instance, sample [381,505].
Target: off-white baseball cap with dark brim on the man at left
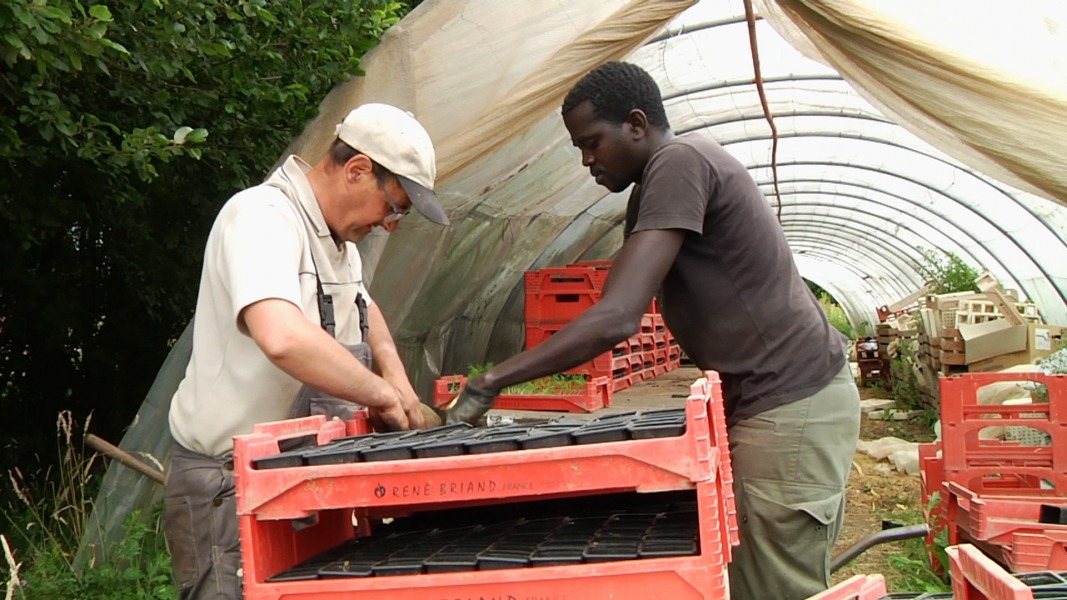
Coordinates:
[394,139]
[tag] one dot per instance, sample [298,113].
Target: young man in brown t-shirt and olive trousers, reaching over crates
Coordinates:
[702,236]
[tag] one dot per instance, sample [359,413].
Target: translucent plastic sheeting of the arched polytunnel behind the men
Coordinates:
[898,128]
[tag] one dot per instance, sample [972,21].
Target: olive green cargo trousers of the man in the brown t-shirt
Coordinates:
[791,466]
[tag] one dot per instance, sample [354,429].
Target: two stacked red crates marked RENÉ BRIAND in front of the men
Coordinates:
[269,501]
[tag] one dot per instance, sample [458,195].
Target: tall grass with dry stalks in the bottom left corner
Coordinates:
[47,522]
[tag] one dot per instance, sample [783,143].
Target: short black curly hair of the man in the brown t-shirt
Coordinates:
[615,89]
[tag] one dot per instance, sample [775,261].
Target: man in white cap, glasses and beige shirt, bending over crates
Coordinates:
[285,326]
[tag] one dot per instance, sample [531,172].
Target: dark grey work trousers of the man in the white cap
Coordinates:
[201,526]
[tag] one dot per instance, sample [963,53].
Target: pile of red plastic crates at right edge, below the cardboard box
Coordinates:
[1004,497]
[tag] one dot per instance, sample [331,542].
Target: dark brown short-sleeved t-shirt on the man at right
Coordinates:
[734,297]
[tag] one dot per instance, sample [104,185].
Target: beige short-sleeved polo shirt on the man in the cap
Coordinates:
[263,245]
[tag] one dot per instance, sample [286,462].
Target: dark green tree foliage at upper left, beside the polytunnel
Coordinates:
[123,129]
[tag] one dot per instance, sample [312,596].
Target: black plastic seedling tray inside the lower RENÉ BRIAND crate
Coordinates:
[500,539]
